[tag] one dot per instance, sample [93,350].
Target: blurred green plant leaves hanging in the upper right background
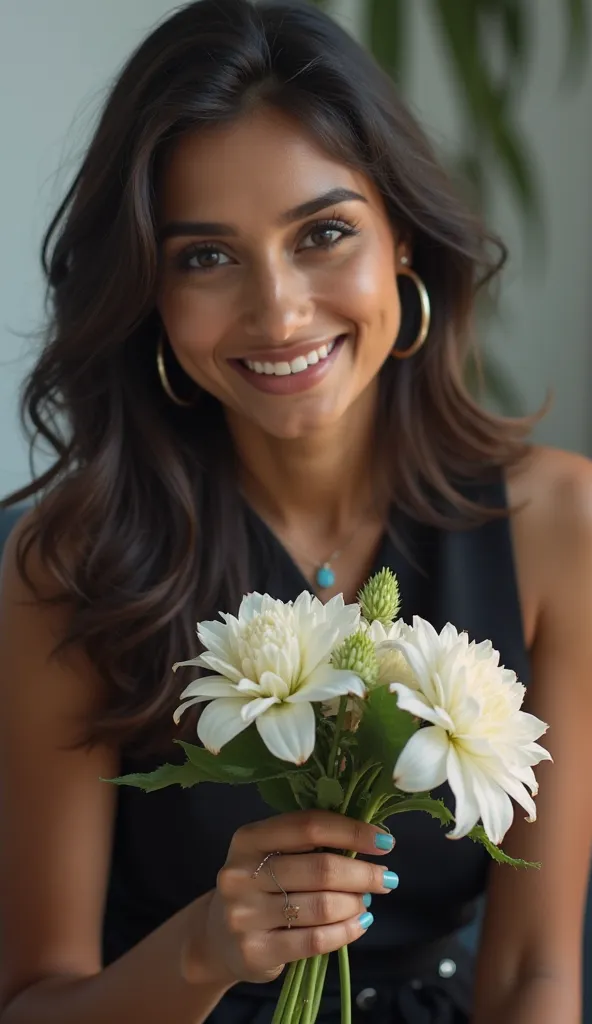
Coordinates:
[489,47]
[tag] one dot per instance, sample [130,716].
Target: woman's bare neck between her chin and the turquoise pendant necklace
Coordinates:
[324,483]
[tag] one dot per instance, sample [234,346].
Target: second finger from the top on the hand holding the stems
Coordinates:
[323,873]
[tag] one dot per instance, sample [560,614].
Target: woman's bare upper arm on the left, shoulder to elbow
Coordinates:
[51,790]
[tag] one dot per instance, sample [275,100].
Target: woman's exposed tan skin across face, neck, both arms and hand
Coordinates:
[58,818]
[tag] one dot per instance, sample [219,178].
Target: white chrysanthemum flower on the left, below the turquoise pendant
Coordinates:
[271,665]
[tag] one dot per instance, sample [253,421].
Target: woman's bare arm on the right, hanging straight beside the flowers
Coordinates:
[531,957]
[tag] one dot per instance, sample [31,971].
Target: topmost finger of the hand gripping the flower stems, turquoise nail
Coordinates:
[304,831]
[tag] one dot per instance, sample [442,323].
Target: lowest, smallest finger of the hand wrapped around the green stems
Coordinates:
[299,944]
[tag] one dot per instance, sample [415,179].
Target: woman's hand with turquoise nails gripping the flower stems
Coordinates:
[248,933]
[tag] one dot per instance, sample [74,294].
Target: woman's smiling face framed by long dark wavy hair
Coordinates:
[278,287]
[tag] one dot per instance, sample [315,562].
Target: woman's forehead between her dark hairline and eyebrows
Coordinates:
[261,165]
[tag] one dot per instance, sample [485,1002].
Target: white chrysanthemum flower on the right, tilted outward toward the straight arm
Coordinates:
[479,739]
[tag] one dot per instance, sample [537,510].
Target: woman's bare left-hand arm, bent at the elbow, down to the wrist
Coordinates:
[57,834]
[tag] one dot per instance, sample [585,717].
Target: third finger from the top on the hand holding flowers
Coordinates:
[305,910]
